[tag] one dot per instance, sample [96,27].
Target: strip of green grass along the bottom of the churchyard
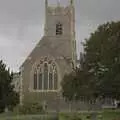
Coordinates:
[101,115]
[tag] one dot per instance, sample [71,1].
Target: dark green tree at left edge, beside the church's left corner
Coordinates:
[8,97]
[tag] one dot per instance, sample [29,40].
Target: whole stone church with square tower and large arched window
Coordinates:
[53,57]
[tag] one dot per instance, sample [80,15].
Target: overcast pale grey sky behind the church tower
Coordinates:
[22,23]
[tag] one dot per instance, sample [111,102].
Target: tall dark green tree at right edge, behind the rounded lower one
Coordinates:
[102,58]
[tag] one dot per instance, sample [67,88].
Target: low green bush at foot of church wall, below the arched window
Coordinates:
[31,108]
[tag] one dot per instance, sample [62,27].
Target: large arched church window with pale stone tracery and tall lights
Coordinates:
[45,76]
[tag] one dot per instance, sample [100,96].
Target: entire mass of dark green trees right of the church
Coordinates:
[98,74]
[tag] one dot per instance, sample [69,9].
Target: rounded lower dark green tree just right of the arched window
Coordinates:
[76,84]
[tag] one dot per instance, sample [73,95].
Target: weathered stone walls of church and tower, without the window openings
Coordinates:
[59,48]
